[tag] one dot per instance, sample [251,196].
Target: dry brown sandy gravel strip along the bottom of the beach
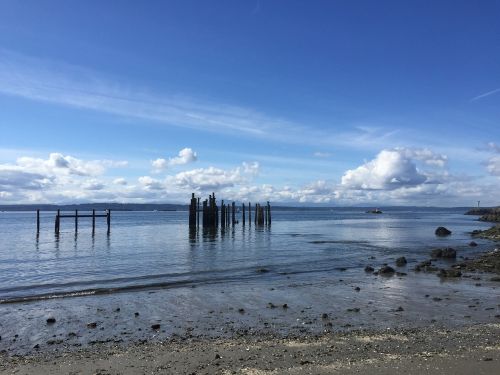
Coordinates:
[465,350]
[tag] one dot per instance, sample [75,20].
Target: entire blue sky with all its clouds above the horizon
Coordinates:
[336,103]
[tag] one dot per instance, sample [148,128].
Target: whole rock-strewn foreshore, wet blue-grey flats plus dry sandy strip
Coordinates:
[420,321]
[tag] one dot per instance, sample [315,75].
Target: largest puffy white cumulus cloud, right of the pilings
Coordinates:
[391,169]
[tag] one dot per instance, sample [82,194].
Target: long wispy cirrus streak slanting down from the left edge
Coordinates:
[78,87]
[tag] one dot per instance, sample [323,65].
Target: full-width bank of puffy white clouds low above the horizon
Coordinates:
[399,176]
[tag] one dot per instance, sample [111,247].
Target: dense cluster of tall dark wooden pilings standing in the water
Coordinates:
[226,214]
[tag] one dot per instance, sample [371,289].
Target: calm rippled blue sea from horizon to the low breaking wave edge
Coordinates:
[148,250]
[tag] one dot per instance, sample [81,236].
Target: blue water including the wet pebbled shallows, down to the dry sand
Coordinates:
[230,282]
